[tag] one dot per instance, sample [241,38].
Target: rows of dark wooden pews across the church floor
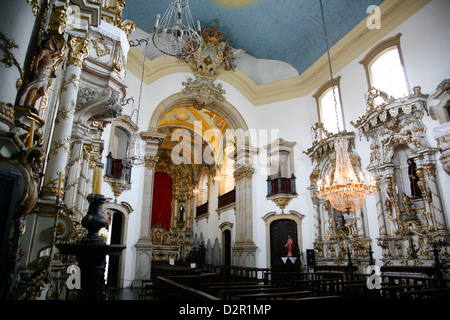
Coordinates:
[240,283]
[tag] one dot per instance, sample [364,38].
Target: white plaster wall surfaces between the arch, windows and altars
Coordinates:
[425,45]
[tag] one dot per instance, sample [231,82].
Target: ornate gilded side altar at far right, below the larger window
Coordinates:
[410,213]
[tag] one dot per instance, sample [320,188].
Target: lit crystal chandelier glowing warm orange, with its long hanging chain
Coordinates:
[347,192]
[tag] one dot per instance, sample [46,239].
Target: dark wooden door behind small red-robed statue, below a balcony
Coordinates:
[279,232]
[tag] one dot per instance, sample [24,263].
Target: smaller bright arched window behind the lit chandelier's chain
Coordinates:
[326,107]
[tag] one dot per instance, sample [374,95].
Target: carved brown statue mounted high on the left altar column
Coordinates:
[42,69]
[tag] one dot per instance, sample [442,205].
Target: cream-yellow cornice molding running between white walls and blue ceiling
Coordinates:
[355,43]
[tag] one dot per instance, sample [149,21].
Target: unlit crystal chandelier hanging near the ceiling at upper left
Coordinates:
[171,36]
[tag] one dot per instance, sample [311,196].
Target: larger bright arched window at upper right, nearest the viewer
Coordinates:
[385,68]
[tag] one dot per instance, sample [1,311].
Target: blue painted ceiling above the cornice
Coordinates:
[286,30]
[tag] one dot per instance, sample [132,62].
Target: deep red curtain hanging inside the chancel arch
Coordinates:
[162,196]
